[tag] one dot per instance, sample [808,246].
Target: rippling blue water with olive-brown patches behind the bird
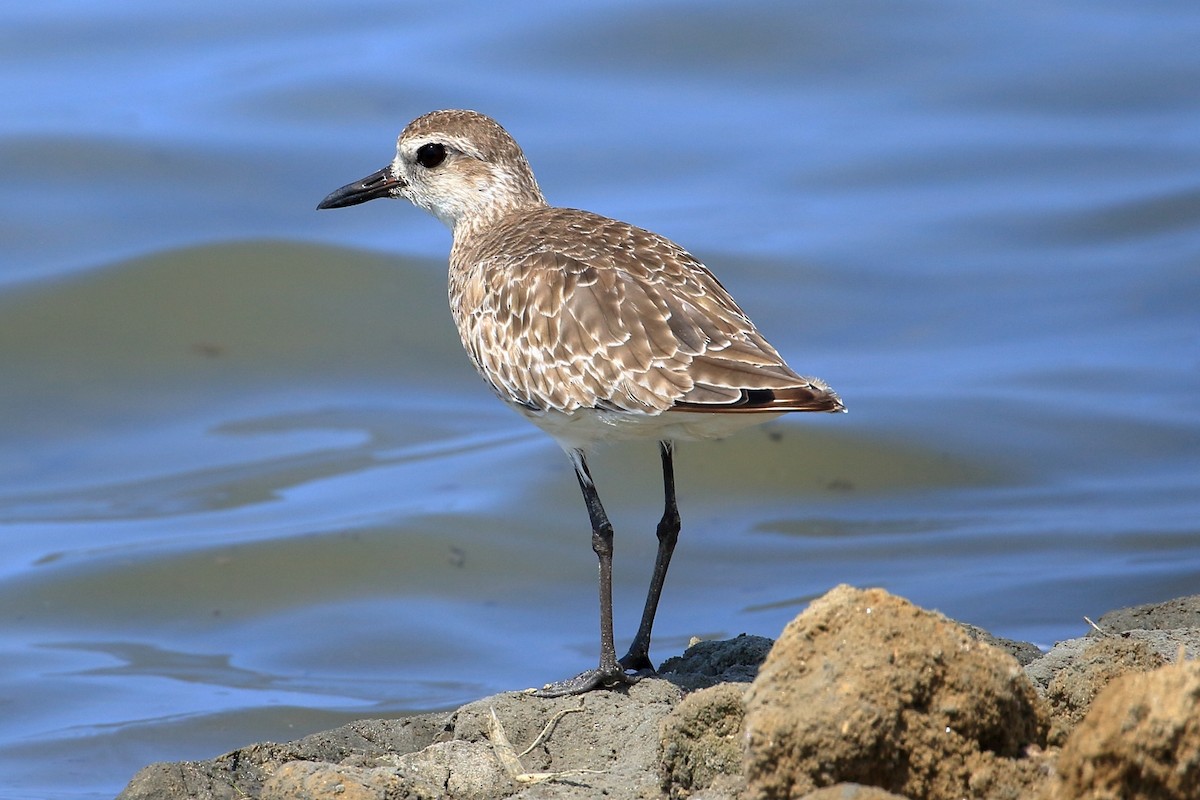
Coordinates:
[251,489]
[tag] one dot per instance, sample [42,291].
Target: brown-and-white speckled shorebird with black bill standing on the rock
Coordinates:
[593,329]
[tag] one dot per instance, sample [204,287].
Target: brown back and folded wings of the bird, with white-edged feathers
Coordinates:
[565,310]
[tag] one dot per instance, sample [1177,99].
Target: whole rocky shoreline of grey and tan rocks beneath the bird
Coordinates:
[865,696]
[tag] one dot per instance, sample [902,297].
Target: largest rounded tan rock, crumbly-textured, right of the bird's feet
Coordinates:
[867,688]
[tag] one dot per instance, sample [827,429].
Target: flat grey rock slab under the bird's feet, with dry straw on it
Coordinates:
[602,743]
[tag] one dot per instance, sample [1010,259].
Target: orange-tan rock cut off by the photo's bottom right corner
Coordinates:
[1139,742]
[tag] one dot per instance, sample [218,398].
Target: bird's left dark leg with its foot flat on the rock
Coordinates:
[609,672]
